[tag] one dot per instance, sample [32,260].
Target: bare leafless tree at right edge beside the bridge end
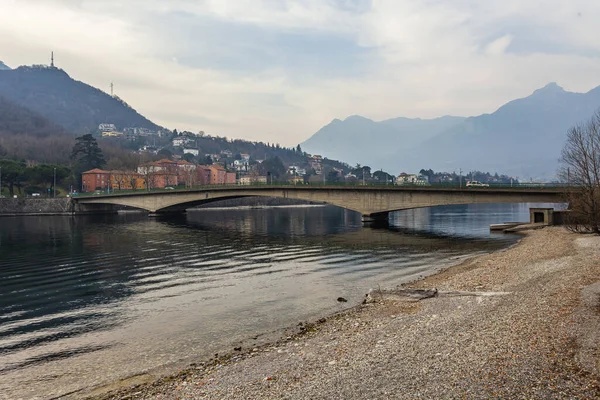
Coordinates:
[580,168]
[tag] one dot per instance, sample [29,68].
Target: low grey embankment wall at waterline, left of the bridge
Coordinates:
[31,206]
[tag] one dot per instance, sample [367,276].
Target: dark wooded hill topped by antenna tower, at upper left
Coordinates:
[78,107]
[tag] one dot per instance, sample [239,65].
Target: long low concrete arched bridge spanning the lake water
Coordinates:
[373,202]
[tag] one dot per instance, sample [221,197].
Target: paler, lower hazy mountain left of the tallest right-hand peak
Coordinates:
[347,140]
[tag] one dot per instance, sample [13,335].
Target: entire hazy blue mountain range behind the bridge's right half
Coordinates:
[523,137]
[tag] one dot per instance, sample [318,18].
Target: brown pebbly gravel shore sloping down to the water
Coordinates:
[523,323]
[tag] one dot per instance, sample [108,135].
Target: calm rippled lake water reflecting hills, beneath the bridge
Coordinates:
[88,300]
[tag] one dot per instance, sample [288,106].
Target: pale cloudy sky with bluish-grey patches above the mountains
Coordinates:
[278,70]
